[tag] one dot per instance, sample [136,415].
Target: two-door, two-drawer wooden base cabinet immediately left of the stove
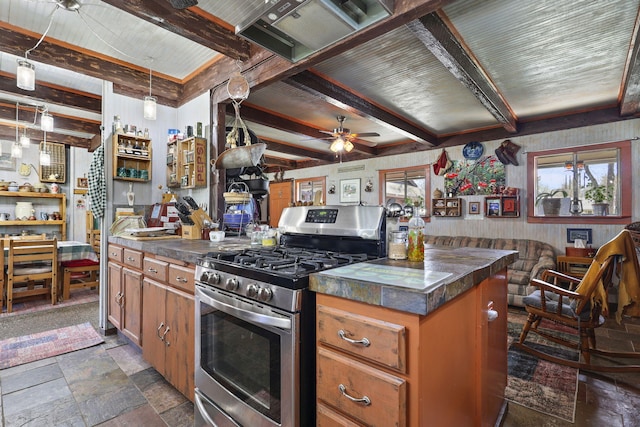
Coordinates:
[168,321]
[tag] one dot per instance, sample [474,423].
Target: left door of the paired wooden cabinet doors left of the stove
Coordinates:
[153,323]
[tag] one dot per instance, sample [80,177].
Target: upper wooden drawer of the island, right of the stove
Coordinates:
[387,341]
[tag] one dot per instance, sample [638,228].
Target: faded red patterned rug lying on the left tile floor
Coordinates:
[29,348]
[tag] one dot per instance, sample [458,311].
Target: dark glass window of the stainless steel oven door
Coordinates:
[244,358]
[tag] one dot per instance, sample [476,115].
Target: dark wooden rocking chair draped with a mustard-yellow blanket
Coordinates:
[583,309]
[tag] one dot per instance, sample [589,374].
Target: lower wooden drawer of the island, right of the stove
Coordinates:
[387,393]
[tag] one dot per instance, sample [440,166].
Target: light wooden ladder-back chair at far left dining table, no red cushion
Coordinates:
[32,269]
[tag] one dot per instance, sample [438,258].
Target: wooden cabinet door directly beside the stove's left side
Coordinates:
[180,341]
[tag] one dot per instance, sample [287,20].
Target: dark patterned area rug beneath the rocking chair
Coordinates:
[537,384]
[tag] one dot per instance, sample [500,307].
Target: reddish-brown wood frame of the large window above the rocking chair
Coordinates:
[625,175]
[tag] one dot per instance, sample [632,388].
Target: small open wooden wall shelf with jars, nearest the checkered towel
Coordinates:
[131,158]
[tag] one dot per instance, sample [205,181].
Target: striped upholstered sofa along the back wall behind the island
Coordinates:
[534,258]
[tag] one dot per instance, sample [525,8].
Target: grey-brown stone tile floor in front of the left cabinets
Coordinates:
[105,385]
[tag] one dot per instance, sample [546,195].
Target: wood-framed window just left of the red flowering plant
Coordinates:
[407,187]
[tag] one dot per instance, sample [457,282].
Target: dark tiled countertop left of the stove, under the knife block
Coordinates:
[182,249]
